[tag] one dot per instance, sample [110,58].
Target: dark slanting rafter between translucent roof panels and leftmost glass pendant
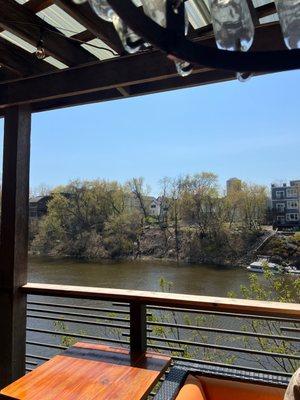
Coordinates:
[96,26]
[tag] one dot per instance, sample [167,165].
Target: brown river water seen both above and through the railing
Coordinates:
[59,329]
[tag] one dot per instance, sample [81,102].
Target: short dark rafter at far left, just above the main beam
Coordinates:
[20,61]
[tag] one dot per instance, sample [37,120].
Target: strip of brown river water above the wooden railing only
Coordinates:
[140,275]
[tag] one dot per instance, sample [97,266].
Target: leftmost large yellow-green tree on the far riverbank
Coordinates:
[76,218]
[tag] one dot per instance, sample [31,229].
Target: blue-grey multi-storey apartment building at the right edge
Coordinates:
[286,204]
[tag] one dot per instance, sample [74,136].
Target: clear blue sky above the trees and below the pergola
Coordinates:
[247,130]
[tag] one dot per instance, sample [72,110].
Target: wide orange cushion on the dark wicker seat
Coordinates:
[223,389]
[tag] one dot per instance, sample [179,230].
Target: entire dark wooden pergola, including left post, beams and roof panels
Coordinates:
[85,63]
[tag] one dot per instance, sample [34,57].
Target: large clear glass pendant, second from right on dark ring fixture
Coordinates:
[232,23]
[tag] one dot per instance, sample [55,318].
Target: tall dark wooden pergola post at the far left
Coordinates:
[14,242]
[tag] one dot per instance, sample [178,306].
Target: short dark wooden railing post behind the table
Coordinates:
[138,329]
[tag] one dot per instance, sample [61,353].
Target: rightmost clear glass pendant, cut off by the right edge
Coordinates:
[289,18]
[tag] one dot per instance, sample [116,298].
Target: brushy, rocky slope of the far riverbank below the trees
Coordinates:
[229,248]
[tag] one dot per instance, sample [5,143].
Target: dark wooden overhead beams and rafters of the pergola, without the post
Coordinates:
[93,81]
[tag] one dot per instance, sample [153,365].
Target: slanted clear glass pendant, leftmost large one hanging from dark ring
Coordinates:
[130,40]
